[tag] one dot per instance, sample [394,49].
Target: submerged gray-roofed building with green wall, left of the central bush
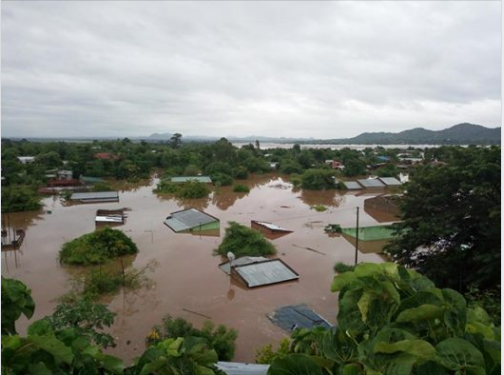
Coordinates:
[191,220]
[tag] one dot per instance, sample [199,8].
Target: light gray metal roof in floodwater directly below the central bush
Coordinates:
[265,273]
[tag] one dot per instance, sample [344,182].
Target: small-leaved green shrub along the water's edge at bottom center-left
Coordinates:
[220,339]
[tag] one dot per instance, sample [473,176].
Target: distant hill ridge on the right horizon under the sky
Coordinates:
[460,134]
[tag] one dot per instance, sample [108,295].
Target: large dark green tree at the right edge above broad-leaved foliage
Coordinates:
[451,223]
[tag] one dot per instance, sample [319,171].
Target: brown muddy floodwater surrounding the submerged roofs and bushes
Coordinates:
[187,282]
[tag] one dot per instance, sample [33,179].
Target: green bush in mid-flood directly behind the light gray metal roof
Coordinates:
[243,241]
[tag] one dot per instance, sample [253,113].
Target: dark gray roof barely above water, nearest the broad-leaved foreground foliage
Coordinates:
[297,316]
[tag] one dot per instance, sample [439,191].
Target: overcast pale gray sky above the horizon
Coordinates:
[292,69]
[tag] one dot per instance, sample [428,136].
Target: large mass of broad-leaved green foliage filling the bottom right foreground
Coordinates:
[393,321]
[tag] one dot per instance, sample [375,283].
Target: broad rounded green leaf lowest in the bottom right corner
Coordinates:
[459,355]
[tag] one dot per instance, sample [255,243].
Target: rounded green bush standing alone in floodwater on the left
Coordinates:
[97,247]
